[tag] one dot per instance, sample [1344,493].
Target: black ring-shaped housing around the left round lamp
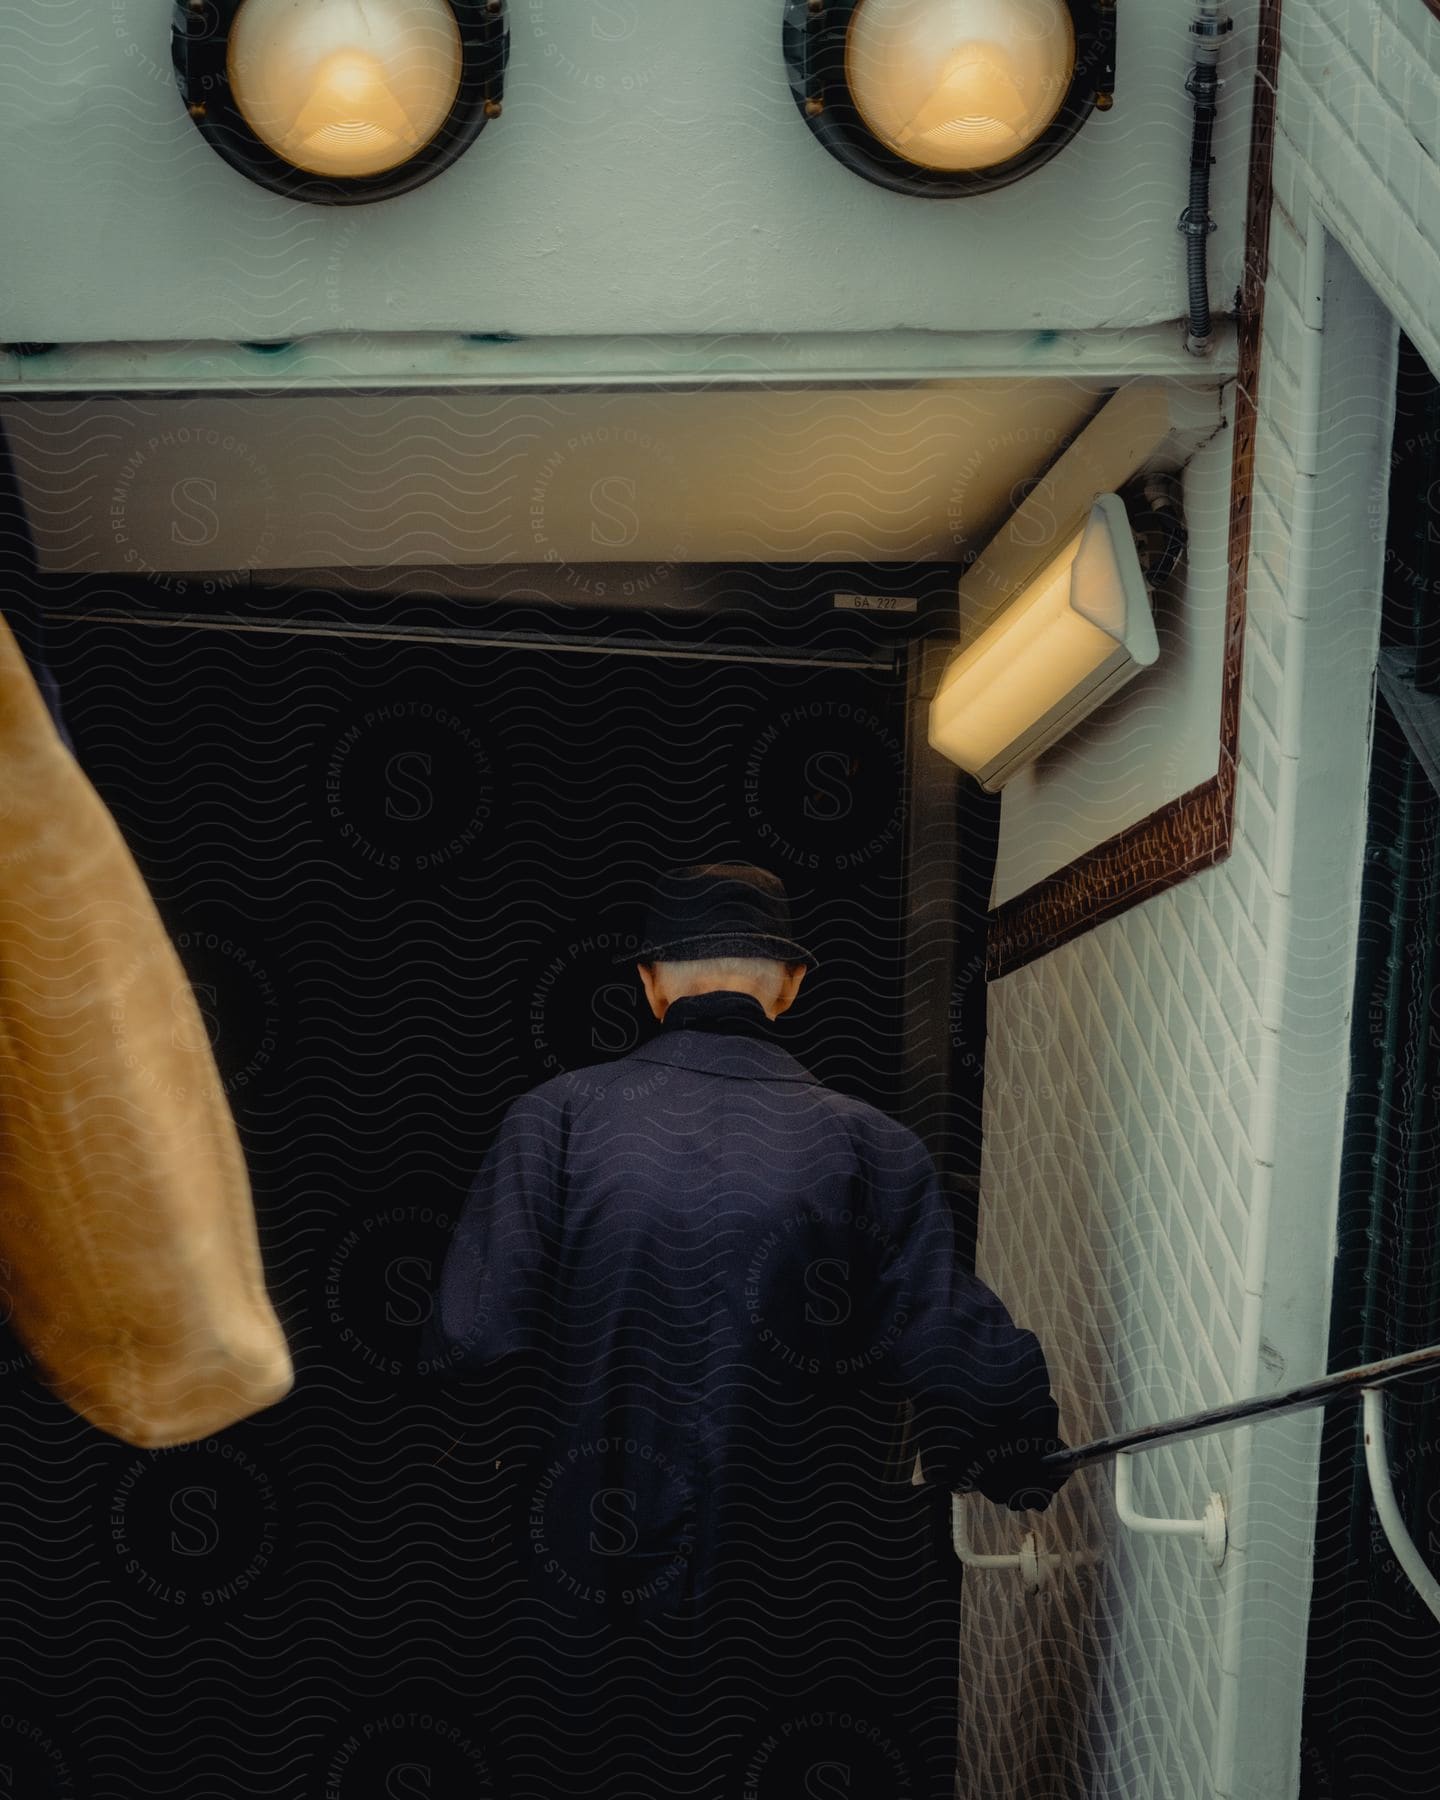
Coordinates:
[201,39]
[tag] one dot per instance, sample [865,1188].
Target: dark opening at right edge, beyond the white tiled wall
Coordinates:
[1371,1727]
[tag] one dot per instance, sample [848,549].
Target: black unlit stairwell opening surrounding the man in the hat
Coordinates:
[399,850]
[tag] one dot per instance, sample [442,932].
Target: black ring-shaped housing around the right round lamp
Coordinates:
[816,33]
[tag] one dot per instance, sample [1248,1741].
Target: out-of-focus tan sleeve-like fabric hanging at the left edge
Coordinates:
[129,1241]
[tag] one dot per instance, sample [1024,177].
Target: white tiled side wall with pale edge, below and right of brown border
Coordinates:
[1164,1095]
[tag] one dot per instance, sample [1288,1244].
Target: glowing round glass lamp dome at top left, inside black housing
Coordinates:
[345,87]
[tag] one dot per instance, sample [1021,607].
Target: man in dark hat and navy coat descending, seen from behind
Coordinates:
[719,1277]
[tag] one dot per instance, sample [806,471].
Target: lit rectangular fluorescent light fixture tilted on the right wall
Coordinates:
[1075,633]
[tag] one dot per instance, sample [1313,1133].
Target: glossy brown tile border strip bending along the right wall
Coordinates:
[1192,832]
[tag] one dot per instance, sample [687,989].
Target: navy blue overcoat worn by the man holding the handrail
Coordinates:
[703,1255]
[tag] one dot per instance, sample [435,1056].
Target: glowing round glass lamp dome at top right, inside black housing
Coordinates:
[960,85]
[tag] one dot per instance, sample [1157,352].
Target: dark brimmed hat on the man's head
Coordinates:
[719,910]
